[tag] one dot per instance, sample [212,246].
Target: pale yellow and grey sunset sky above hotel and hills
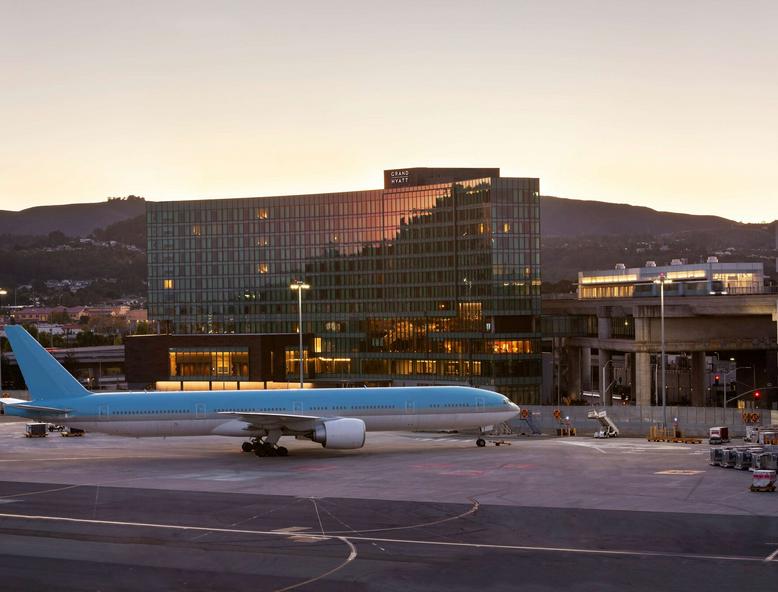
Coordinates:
[670,104]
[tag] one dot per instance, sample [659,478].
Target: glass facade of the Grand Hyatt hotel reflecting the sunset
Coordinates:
[412,285]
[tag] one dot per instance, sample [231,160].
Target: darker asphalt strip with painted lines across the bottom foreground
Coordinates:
[108,538]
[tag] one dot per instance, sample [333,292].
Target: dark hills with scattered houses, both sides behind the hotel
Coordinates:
[576,235]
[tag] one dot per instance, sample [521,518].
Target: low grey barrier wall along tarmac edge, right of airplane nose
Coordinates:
[635,421]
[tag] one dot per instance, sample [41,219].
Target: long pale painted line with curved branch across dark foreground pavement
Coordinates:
[348,540]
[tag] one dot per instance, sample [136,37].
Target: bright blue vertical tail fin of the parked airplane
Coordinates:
[45,377]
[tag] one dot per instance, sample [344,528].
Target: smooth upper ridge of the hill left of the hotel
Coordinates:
[71,219]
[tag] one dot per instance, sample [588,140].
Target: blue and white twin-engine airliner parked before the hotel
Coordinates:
[336,418]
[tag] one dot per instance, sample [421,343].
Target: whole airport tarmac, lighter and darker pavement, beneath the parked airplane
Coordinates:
[409,511]
